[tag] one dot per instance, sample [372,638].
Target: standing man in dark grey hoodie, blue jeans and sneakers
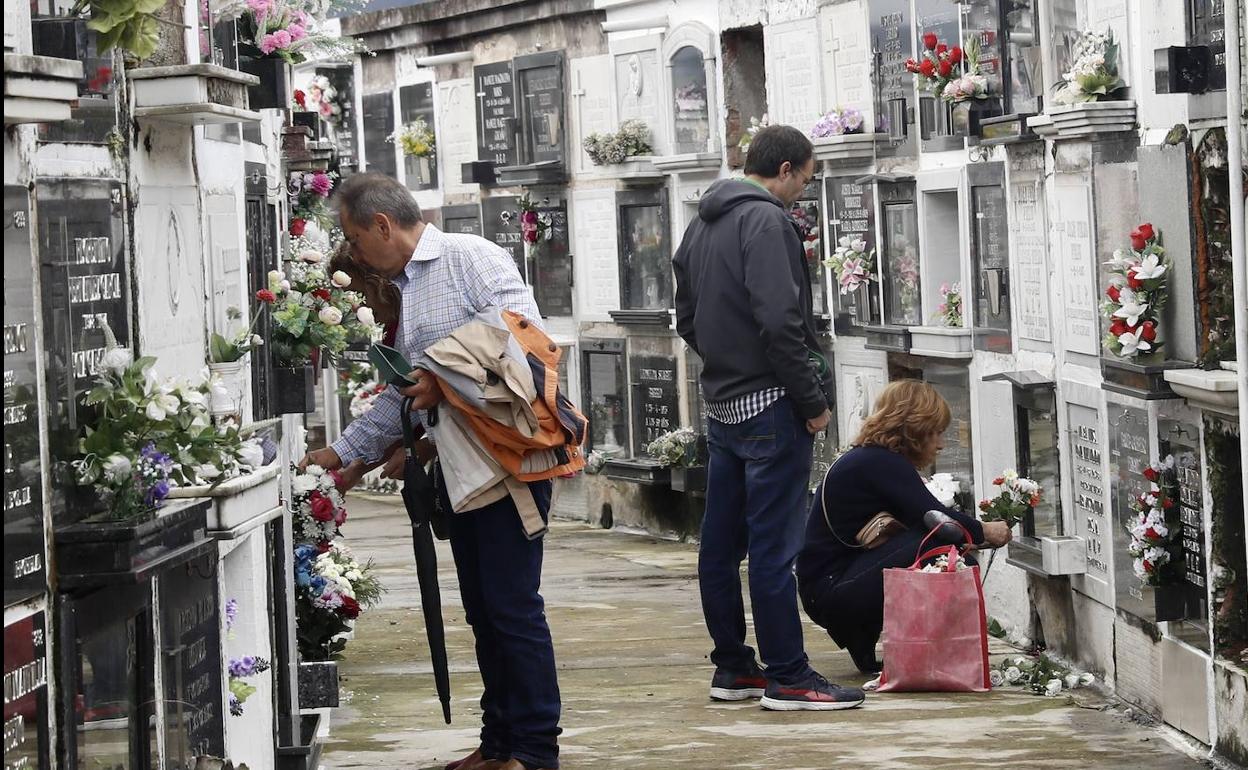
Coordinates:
[744,306]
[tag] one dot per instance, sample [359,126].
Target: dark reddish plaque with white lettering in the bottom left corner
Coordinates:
[26,694]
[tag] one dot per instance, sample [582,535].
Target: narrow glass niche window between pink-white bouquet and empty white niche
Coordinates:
[899,258]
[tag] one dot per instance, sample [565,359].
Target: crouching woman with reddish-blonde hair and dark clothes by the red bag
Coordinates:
[841,580]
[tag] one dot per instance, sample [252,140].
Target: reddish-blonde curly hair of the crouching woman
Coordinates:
[908,414]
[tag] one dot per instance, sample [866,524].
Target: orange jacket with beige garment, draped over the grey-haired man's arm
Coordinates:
[555,449]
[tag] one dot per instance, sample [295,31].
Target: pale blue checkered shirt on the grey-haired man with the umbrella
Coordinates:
[450,280]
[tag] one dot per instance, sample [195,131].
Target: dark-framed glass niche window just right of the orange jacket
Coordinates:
[606,396]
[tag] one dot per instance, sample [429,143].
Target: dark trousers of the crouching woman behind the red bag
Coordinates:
[851,605]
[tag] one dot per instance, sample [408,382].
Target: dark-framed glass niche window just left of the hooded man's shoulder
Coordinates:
[647,283]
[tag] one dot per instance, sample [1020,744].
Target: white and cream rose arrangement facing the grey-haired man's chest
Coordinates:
[314,311]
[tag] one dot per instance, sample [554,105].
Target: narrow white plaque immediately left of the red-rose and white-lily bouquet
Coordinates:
[1075,263]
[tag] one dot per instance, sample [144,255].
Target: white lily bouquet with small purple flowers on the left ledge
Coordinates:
[152,435]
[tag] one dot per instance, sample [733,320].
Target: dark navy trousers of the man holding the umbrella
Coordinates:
[500,577]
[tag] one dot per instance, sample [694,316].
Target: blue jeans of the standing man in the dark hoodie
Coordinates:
[757,484]
